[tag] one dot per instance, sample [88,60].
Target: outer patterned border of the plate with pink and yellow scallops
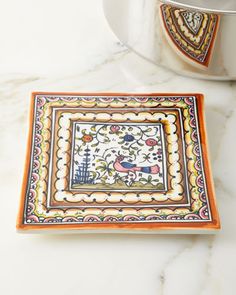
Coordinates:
[34,196]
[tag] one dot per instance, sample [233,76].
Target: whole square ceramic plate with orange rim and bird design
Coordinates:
[117,163]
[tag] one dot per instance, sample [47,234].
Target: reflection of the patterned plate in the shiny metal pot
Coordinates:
[196,46]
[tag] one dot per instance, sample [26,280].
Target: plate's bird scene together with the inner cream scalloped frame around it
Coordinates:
[118,157]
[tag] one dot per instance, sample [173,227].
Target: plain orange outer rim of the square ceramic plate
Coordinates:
[177,227]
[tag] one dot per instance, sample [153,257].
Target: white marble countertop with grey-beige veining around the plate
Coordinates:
[68,46]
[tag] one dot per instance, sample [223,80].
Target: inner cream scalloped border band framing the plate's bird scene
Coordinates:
[63,147]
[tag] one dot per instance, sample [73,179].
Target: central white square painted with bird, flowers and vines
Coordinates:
[118,157]
